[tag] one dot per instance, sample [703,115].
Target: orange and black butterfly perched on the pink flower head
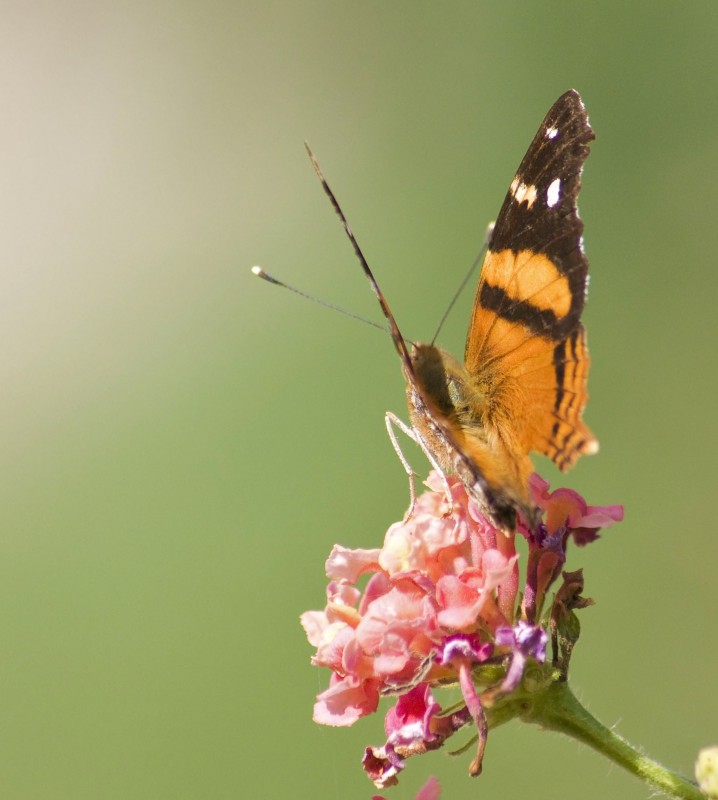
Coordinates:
[522,384]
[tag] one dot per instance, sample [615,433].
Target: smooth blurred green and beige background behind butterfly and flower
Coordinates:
[183,444]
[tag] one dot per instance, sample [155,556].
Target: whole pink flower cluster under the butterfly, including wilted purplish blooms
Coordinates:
[443,604]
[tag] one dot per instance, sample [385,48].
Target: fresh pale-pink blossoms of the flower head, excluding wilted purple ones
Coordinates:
[436,574]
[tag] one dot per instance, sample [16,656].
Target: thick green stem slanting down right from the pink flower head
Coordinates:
[557,709]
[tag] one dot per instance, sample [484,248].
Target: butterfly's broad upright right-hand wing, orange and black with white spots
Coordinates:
[526,346]
